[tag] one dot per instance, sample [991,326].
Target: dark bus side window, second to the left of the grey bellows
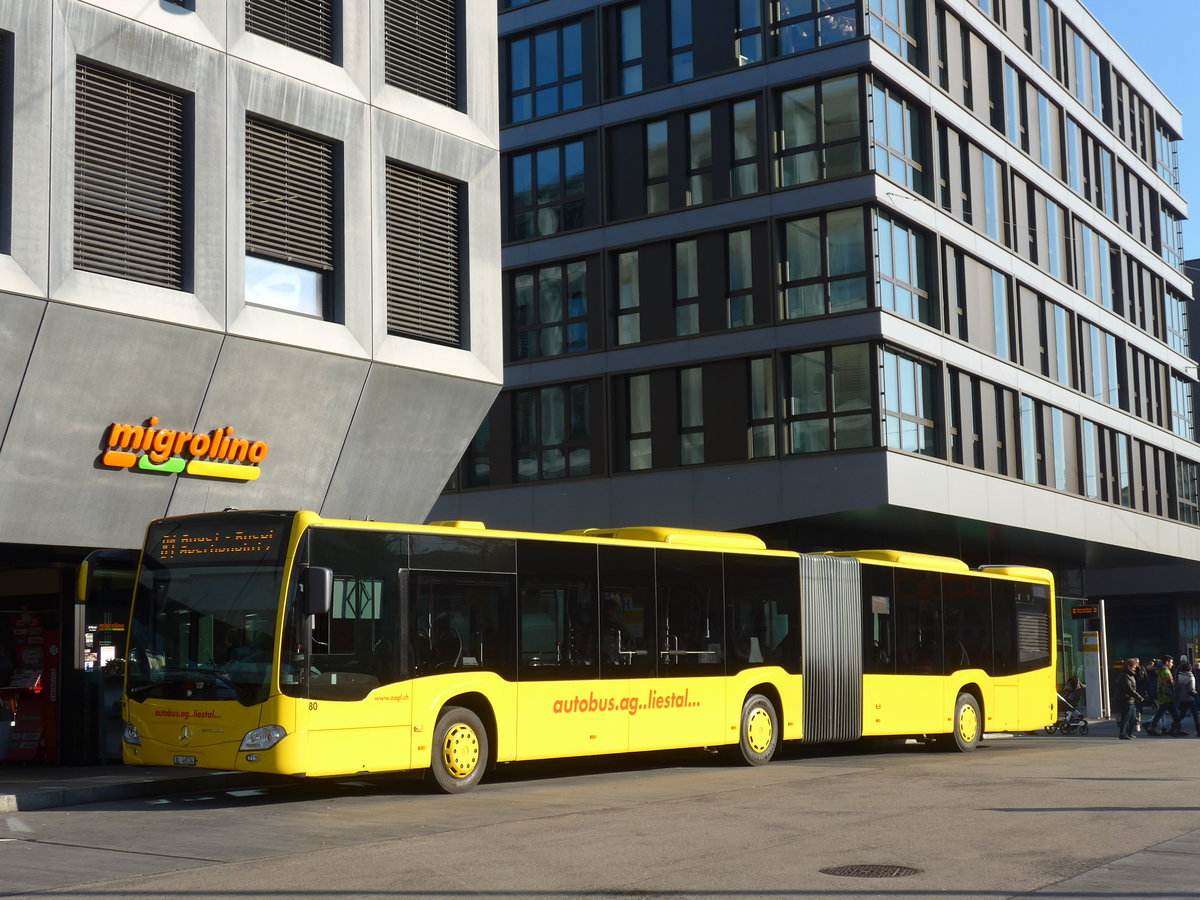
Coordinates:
[691,614]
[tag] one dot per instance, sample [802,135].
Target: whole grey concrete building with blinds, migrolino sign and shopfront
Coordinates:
[249,259]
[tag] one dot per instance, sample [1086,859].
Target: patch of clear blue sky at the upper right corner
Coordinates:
[1162,39]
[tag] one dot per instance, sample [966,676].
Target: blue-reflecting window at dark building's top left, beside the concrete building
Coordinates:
[547,73]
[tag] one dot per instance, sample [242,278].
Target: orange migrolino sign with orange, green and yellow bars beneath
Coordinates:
[218,454]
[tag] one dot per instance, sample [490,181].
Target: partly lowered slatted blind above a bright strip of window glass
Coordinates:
[290,196]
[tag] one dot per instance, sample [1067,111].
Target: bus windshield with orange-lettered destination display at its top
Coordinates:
[205,609]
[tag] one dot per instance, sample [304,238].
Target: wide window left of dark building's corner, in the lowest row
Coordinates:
[830,400]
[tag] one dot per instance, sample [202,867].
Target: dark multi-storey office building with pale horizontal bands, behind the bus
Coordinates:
[848,274]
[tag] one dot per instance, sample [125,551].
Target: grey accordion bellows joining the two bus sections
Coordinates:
[832,613]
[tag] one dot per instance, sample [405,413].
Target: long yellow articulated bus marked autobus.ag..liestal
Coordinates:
[290,644]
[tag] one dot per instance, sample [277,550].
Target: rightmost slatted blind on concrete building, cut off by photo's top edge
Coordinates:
[421,49]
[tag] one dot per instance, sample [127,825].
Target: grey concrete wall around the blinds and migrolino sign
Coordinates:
[359,424]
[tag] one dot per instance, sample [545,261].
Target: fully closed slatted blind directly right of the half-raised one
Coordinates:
[424,296]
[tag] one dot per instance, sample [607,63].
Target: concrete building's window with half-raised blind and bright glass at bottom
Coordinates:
[291,249]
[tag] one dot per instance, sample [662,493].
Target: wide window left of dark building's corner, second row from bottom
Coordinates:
[825,265]
